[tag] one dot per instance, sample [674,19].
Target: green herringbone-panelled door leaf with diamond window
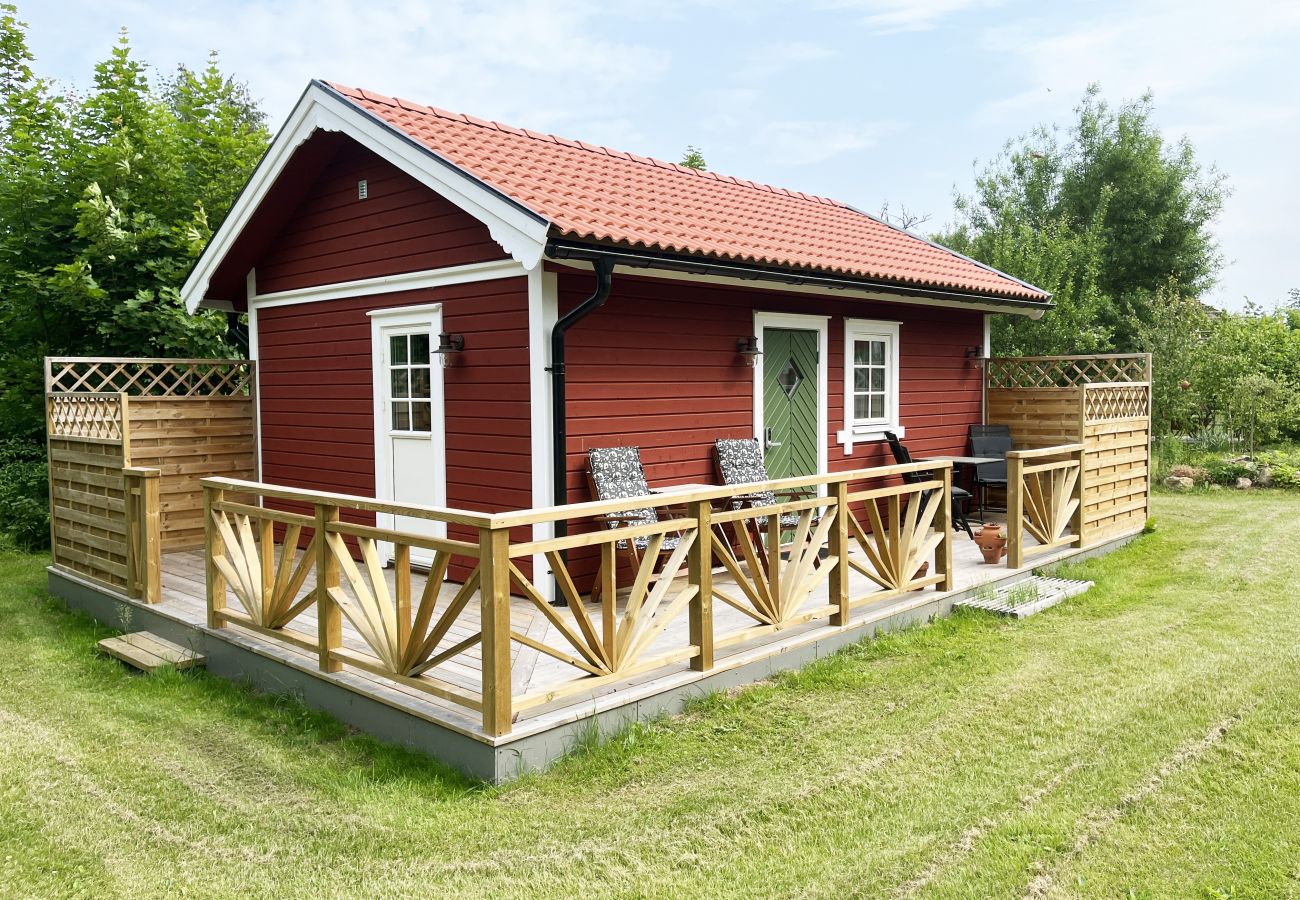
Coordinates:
[791,403]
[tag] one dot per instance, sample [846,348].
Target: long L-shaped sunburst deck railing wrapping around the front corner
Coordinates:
[281,565]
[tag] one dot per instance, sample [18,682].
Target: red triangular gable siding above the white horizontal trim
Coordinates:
[401,227]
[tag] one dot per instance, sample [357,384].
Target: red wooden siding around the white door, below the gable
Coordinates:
[318,403]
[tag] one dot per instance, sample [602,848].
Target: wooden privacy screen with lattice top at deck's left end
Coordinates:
[187,418]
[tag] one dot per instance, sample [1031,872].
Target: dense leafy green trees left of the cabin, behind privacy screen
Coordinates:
[106,202]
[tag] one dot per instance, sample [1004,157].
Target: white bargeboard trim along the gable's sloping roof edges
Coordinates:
[521,233]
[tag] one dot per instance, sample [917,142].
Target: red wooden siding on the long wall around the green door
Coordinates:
[657,367]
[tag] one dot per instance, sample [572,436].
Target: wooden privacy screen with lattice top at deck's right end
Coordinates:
[1051,401]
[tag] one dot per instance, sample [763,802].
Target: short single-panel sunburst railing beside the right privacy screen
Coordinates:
[1045,499]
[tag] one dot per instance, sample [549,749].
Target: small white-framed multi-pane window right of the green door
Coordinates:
[870,379]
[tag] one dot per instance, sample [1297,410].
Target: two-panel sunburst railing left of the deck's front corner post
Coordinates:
[279,565]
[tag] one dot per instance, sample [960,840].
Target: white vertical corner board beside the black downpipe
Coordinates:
[543,314]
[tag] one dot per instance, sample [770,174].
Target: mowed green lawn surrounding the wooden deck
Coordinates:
[1139,741]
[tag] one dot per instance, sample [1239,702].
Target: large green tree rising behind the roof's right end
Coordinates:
[1146,206]
